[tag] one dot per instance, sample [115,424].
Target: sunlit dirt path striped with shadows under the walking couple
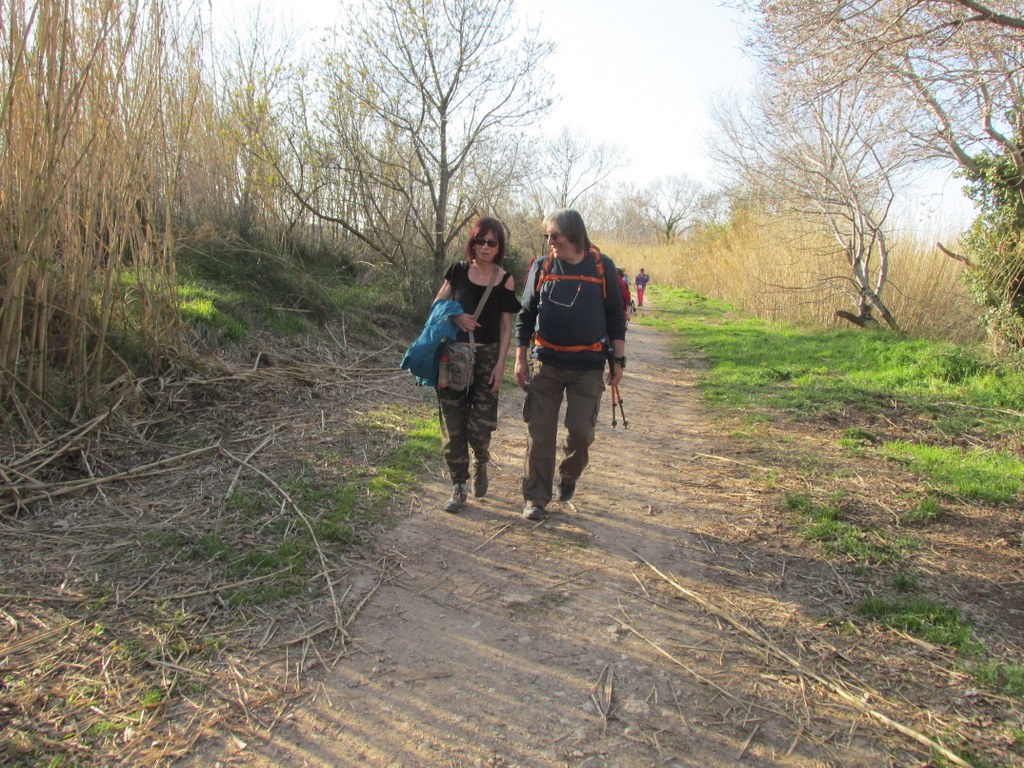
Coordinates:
[493,642]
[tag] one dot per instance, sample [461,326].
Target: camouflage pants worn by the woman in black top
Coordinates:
[470,418]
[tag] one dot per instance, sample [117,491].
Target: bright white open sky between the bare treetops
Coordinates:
[641,75]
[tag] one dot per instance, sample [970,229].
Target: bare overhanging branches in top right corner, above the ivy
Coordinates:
[961,63]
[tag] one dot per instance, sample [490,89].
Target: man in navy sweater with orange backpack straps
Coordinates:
[572,311]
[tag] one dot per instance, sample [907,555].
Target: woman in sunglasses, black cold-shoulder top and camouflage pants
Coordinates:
[471,416]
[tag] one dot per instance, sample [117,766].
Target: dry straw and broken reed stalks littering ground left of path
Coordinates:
[117,647]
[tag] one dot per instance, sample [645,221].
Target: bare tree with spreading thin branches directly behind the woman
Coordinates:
[422,105]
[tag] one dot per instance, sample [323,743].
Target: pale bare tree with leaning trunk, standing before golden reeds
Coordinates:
[832,157]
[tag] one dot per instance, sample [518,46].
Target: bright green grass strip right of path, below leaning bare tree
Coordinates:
[758,370]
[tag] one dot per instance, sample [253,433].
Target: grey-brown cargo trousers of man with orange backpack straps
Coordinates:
[583,392]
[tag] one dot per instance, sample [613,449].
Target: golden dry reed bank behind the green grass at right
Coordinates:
[774,270]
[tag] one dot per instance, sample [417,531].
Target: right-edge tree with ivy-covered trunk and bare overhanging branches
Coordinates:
[960,64]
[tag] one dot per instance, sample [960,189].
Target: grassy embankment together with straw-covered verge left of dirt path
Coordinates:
[174,593]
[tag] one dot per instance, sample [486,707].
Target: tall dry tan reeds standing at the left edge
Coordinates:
[96,117]
